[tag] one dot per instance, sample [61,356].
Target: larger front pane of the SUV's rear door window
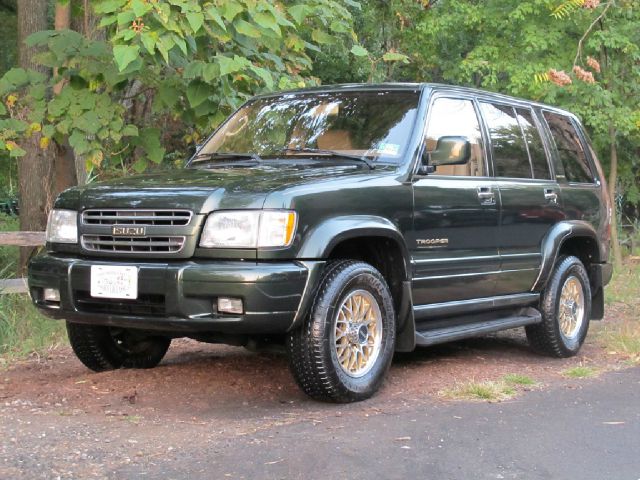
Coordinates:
[510,156]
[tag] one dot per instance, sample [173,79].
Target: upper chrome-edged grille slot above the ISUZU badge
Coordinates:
[136,217]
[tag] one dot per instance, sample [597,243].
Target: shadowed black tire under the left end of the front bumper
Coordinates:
[102,348]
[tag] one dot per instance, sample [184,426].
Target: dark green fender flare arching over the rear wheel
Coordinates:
[553,241]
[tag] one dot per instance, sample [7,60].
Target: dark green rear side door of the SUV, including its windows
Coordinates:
[530,199]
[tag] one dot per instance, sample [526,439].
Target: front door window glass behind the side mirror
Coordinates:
[452,117]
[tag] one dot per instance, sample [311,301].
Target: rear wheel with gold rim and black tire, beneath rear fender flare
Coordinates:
[565,308]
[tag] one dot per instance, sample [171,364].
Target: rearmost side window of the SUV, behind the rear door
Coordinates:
[570,151]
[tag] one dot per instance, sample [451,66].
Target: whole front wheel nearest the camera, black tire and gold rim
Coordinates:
[344,349]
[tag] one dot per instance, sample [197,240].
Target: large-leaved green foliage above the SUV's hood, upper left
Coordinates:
[186,64]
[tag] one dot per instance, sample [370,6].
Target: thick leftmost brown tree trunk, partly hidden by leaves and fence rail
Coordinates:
[35,169]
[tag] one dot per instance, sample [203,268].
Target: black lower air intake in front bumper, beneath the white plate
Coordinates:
[144,306]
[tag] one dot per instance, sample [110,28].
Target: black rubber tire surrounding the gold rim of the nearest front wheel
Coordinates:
[313,359]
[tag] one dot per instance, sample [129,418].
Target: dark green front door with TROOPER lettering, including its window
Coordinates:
[454,243]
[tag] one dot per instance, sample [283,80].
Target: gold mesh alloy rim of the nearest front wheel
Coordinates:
[357,334]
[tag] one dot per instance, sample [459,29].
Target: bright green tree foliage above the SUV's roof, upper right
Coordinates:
[512,47]
